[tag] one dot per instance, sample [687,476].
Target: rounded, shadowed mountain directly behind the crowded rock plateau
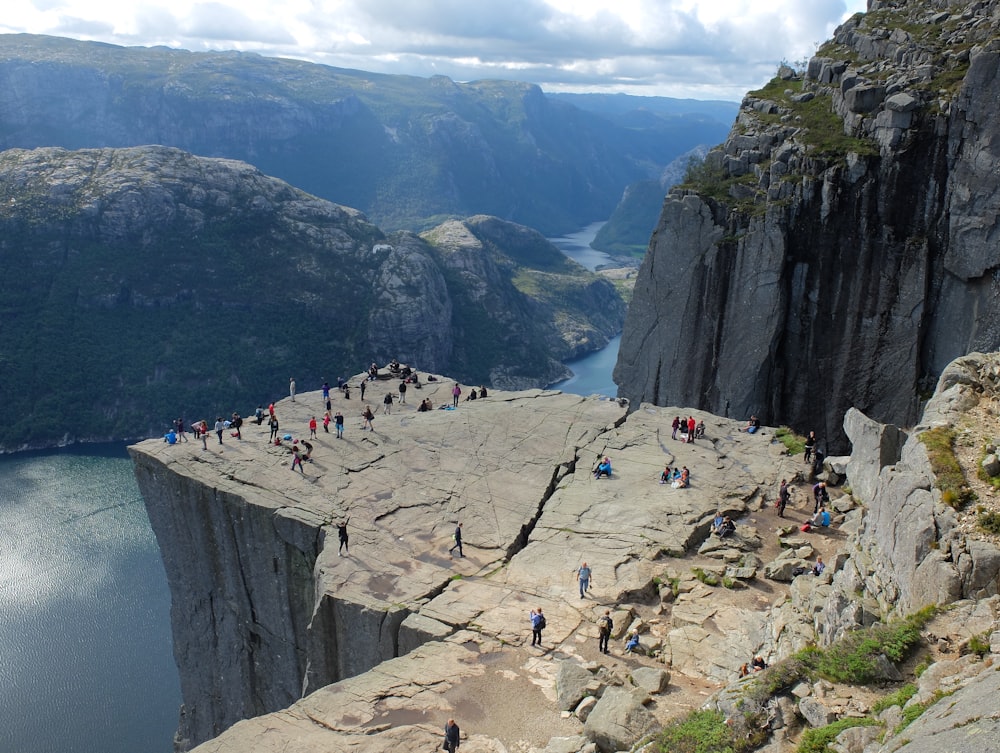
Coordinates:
[141,284]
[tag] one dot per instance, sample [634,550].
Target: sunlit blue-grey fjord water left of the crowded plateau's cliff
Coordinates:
[86,664]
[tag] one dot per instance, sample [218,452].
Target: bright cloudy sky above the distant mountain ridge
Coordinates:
[708,49]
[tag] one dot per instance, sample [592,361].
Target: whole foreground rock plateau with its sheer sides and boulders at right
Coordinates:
[283,644]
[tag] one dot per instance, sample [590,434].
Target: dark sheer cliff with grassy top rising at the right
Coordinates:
[841,247]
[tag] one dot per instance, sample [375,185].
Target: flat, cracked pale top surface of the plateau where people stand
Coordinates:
[515,469]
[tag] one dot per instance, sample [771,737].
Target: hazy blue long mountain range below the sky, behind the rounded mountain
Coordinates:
[402,149]
